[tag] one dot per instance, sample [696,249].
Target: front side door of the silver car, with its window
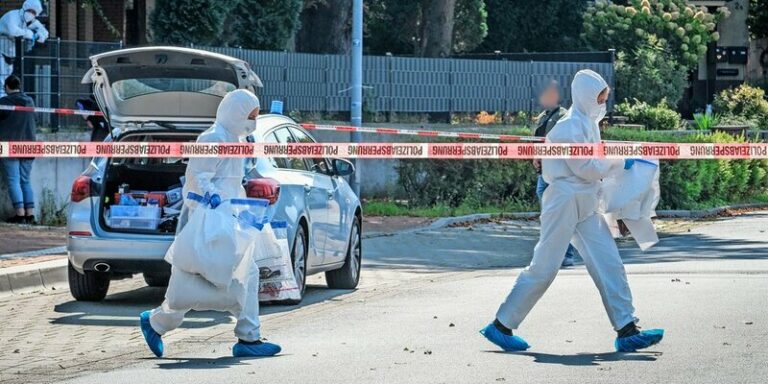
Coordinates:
[327,187]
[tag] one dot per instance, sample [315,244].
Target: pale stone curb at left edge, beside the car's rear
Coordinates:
[33,277]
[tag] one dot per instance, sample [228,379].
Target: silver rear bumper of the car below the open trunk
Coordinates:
[122,255]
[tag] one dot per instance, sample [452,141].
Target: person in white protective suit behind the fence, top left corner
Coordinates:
[19,23]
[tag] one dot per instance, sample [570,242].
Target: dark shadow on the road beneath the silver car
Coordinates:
[122,309]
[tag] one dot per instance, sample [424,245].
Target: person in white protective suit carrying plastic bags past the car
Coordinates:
[220,179]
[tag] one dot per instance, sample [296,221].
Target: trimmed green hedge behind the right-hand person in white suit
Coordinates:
[685,184]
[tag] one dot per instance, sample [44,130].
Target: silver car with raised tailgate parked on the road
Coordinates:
[157,94]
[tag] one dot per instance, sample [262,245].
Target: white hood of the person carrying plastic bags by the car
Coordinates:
[233,111]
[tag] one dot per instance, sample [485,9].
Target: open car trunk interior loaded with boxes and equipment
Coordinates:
[153,187]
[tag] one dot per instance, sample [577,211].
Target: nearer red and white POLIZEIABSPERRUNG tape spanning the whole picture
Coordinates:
[388,150]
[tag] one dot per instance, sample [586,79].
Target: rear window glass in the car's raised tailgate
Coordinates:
[129,88]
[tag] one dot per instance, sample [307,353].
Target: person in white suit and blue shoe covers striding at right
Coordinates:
[569,213]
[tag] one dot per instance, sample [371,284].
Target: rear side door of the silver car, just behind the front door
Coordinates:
[294,173]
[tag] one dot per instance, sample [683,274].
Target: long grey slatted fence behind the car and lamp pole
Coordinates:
[310,82]
